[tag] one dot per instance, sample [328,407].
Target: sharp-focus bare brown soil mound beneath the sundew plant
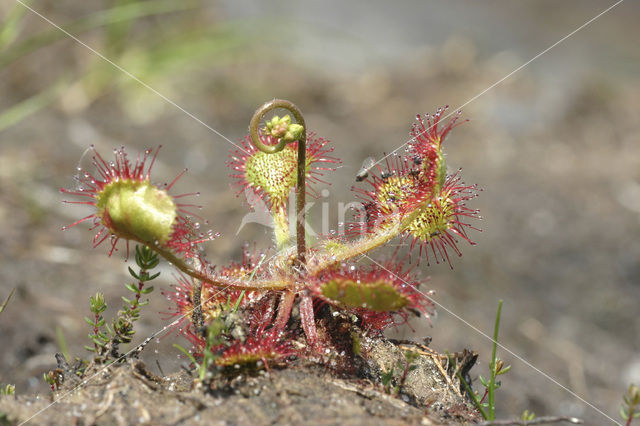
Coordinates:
[302,393]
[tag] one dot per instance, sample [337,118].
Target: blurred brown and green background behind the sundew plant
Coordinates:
[555,147]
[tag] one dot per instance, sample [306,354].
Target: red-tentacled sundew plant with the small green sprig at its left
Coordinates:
[300,300]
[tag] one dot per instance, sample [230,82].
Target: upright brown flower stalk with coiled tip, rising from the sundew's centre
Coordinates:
[254,133]
